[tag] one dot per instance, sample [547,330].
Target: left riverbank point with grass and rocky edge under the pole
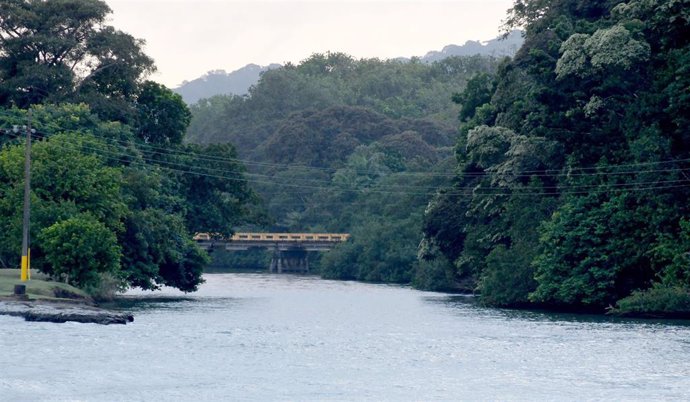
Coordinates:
[49,301]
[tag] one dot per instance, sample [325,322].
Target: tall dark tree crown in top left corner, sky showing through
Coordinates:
[62,51]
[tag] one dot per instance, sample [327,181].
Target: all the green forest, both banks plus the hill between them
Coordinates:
[556,178]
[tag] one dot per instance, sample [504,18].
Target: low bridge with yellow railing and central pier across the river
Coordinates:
[289,249]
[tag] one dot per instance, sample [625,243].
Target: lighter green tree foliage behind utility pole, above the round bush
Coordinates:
[86,185]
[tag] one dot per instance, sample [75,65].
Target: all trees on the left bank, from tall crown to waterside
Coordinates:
[114,196]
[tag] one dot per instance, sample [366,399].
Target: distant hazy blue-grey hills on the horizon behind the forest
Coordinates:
[238,82]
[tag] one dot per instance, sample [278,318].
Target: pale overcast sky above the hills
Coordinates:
[188,38]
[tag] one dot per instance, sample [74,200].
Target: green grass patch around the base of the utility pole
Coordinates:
[38,287]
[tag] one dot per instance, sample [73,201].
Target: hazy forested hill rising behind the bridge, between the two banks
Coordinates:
[339,144]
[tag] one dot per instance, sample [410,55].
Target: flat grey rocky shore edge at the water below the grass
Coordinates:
[61,312]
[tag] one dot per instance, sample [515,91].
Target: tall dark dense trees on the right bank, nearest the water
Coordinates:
[572,178]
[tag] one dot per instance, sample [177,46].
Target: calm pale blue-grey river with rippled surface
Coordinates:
[281,337]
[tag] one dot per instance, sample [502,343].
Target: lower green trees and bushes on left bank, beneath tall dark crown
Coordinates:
[93,176]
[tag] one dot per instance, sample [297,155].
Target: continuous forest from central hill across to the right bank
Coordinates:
[568,185]
